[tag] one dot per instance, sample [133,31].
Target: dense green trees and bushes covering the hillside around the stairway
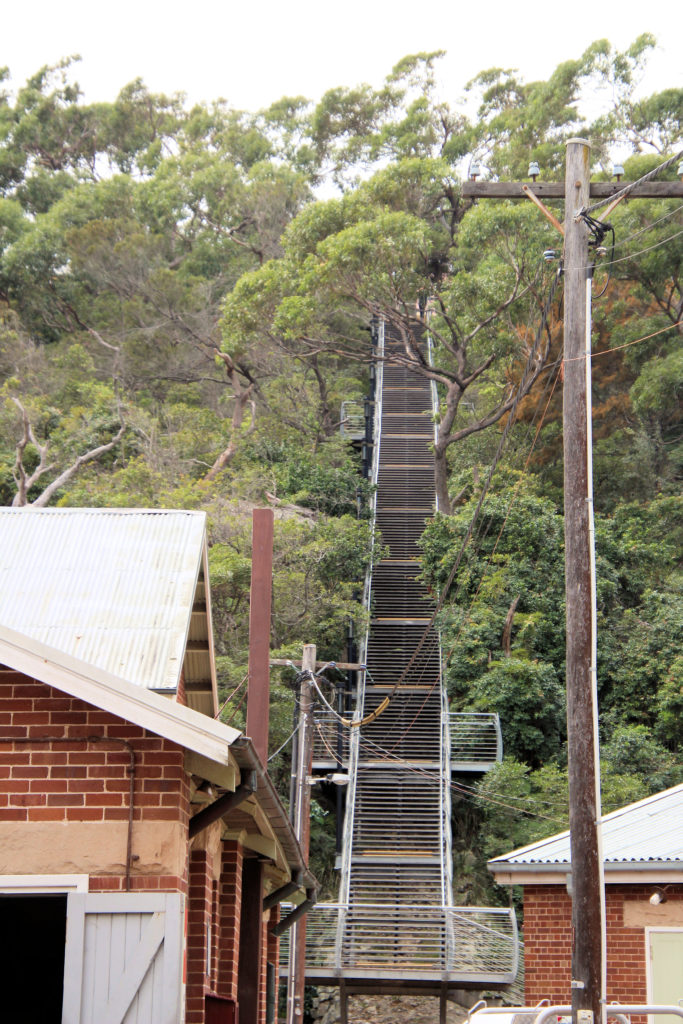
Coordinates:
[182,316]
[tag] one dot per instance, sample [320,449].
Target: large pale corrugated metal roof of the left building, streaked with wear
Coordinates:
[112,587]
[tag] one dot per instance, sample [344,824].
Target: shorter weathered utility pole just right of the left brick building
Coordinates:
[301,815]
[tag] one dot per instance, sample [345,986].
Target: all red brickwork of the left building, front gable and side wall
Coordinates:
[74,778]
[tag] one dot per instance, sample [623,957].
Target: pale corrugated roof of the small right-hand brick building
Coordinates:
[651,831]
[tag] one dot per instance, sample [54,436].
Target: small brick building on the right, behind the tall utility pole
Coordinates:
[644,863]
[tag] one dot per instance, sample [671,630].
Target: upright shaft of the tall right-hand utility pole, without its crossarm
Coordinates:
[582,727]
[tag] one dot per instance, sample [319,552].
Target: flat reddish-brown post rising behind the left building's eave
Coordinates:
[260,632]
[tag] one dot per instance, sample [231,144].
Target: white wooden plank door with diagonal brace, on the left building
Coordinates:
[123,959]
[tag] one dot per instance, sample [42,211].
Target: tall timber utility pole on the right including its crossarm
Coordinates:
[588,955]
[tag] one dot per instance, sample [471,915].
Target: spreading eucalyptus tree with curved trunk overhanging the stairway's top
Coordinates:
[399,246]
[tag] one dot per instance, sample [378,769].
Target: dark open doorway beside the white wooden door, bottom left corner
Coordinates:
[33,929]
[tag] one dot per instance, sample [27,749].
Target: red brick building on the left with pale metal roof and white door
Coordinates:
[144,849]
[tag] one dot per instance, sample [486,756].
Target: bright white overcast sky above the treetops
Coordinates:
[254,53]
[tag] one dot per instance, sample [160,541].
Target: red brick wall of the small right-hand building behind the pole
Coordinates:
[548,944]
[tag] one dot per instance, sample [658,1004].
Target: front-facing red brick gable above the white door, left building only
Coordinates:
[79,779]
